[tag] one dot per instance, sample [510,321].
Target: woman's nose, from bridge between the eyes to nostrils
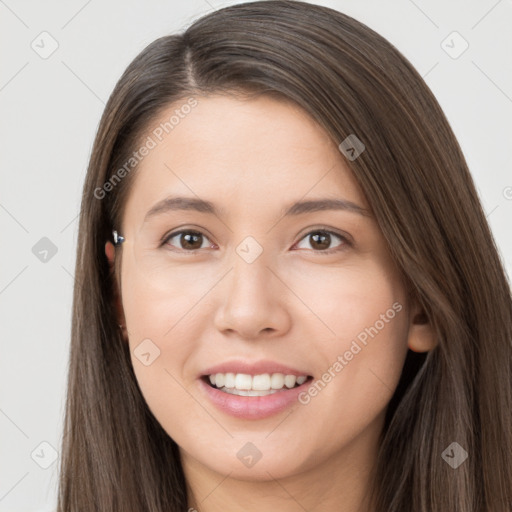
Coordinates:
[252,301]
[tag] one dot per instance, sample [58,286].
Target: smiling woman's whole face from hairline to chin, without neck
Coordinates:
[252,292]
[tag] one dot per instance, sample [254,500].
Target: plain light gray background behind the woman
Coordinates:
[50,108]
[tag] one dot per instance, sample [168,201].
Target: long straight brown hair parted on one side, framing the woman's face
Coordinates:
[115,455]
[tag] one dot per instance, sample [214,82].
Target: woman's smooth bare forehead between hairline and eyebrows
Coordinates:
[243,154]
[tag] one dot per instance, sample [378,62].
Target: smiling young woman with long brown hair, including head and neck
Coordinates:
[289,295]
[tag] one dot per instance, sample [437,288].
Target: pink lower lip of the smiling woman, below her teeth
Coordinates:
[253,407]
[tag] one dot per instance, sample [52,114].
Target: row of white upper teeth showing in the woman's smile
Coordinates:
[257,385]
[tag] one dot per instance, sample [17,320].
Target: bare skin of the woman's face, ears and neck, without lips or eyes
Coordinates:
[292,305]
